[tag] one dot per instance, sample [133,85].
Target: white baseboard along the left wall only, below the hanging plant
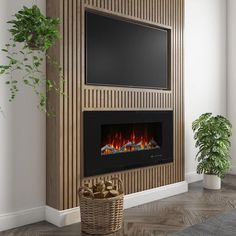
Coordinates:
[20,218]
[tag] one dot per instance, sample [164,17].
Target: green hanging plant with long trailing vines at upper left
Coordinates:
[32,34]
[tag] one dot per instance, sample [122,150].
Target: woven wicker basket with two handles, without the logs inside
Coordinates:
[101,216]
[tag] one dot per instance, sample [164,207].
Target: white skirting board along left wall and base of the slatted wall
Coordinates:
[71,216]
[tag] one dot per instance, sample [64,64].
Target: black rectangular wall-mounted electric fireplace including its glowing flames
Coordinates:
[121,140]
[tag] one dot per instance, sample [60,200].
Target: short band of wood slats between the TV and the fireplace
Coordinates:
[98,98]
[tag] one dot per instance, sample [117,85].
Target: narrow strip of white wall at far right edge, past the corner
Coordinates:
[231,85]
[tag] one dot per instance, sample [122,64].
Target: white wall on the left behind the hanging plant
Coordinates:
[22,137]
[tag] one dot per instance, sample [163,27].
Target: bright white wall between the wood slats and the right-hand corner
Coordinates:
[205,66]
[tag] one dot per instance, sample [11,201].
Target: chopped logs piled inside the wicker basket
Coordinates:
[102,190]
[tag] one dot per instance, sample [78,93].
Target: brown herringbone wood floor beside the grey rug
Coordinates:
[162,217]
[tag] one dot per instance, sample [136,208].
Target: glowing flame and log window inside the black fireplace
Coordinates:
[121,138]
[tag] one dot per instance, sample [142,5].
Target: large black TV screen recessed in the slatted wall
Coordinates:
[121,53]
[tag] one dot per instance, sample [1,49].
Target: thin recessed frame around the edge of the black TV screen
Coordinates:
[141,22]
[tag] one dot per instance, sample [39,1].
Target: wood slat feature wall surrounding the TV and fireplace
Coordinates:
[64,132]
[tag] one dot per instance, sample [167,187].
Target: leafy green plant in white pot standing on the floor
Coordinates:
[212,135]
